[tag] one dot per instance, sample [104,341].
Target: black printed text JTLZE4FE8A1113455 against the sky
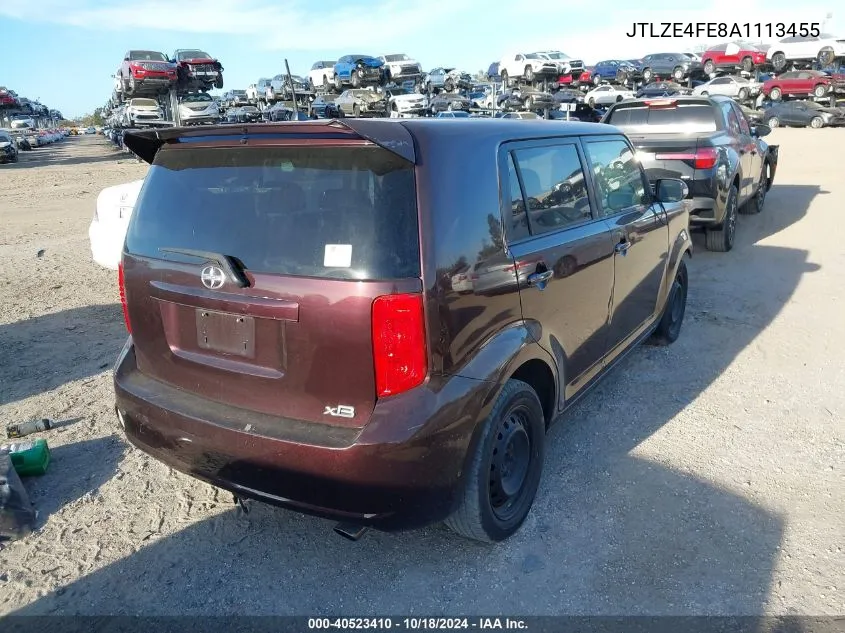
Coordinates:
[724,29]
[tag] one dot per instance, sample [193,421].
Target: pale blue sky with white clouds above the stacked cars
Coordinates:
[65,52]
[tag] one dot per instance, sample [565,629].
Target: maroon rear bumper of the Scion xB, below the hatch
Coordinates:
[394,474]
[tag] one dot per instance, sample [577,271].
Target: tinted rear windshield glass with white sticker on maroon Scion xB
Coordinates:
[338,212]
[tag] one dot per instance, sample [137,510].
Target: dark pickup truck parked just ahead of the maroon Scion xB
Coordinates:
[708,143]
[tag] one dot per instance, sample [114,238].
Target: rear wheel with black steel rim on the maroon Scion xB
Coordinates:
[494,506]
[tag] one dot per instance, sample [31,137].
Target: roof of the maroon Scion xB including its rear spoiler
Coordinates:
[400,136]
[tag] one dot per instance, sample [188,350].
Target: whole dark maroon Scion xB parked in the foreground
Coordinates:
[354,319]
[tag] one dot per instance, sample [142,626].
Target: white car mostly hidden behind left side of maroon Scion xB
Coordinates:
[111,218]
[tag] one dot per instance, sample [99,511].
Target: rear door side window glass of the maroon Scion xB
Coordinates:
[553,187]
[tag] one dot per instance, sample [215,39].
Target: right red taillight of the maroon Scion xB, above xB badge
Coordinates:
[399,347]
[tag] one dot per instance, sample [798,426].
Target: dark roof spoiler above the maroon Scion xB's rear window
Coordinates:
[388,134]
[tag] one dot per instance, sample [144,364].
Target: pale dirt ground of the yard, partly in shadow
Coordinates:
[702,478]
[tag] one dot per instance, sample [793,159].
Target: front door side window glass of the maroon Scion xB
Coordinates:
[619,179]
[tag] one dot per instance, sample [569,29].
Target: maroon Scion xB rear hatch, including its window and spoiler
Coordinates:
[253,260]
